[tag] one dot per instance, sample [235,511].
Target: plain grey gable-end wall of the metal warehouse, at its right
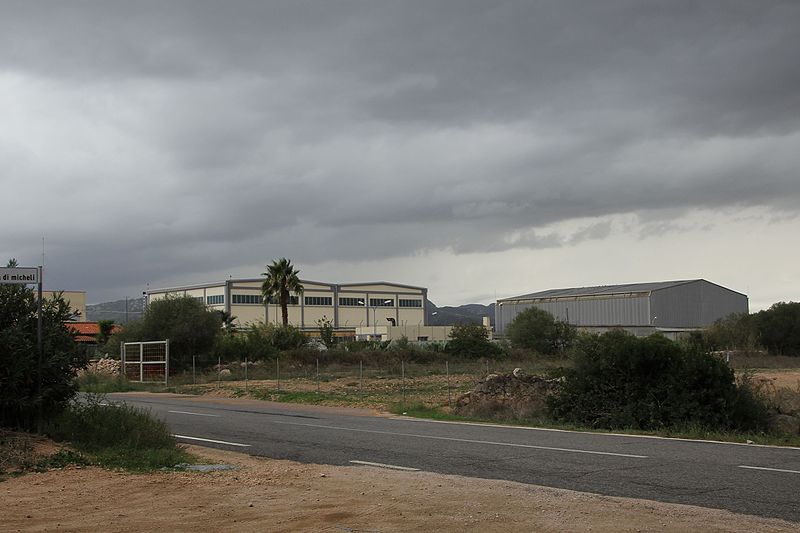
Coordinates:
[695,304]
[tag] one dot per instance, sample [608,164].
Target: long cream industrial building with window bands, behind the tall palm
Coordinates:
[348,306]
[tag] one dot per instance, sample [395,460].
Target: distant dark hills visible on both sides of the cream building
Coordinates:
[131,309]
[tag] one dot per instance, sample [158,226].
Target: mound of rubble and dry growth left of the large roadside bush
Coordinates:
[515,396]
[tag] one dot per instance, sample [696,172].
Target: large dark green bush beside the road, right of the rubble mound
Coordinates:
[621,381]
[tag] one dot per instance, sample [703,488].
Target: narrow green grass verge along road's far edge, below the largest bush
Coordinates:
[685,432]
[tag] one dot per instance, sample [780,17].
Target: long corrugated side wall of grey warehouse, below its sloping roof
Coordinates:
[632,310]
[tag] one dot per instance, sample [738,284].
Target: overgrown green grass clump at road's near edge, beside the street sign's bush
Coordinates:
[118,437]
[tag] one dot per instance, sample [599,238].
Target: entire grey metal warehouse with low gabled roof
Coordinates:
[671,307]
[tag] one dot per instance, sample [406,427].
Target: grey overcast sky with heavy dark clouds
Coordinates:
[480,149]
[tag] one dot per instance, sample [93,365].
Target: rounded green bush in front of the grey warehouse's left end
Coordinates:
[536,329]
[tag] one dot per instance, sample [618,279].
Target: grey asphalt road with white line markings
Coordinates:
[757,480]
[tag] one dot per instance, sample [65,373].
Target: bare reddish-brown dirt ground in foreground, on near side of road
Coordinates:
[272,495]
